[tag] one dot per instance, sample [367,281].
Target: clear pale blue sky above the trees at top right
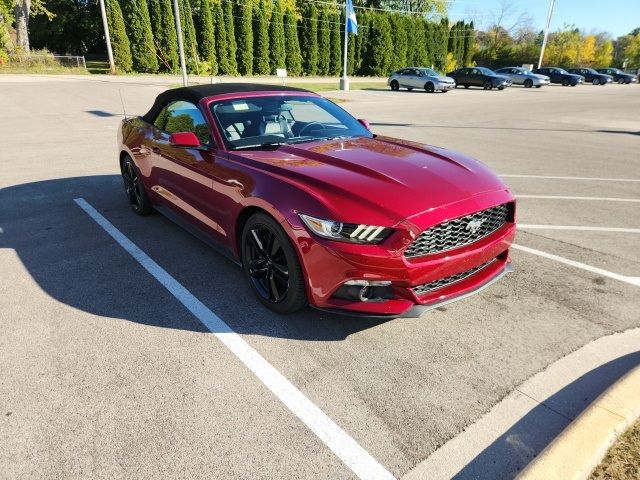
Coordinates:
[618,17]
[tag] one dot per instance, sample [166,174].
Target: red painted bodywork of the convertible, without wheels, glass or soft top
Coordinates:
[380,181]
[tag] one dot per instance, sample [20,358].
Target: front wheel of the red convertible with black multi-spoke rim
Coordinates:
[271,265]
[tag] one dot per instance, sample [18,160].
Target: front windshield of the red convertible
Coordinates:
[268,121]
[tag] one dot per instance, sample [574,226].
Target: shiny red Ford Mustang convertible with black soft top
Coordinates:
[317,209]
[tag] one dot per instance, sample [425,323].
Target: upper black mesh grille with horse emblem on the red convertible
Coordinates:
[459,232]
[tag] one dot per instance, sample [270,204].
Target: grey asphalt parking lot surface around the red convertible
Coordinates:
[106,374]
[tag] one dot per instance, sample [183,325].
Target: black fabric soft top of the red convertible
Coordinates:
[197,92]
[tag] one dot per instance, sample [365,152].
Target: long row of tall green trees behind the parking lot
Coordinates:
[254,37]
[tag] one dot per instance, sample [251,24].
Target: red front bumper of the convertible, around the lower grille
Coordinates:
[328,265]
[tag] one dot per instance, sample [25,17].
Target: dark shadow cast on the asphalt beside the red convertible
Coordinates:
[74,261]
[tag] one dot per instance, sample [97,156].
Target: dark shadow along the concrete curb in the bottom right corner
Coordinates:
[519,445]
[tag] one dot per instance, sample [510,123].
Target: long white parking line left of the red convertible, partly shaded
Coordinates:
[340,443]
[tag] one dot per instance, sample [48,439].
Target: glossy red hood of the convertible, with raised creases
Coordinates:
[380,180]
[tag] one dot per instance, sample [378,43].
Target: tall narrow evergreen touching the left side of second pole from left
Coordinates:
[166,41]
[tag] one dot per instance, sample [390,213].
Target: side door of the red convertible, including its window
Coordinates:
[184,175]
